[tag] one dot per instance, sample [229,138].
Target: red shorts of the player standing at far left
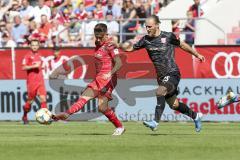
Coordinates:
[35,89]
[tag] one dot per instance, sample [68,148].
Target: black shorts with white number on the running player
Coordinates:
[170,81]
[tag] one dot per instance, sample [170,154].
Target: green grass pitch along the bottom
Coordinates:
[93,141]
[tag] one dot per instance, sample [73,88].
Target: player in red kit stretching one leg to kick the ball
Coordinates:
[107,62]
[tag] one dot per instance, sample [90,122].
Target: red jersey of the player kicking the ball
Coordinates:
[104,55]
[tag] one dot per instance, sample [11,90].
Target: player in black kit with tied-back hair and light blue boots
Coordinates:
[160,46]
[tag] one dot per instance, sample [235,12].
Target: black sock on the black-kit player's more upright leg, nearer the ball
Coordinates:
[159,108]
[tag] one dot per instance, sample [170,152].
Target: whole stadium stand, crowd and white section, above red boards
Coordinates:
[62,13]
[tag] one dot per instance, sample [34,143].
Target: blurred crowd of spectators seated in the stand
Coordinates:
[69,23]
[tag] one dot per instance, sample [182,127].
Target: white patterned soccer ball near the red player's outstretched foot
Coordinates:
[43,116]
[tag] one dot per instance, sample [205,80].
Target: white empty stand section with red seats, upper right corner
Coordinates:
[224,22]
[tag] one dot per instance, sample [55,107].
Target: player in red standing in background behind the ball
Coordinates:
[32,64]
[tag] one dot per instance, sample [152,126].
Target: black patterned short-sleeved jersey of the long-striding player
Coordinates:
[161,50]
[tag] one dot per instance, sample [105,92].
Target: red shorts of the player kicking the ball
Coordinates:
[104,87]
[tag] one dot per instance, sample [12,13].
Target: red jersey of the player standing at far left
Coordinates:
[34,76]
